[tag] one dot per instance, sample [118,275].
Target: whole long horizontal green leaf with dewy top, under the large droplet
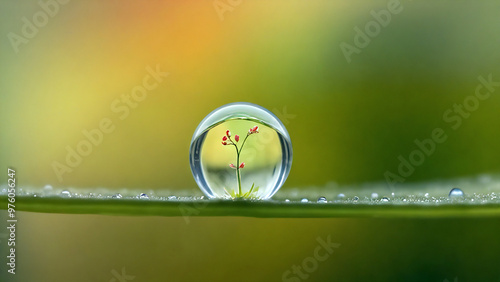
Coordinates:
[428,199]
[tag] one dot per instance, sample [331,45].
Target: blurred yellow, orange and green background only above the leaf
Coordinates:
[348,121]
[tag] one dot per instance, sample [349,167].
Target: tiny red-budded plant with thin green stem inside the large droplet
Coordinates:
[228,141]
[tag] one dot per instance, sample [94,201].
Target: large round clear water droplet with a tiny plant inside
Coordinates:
[264,155]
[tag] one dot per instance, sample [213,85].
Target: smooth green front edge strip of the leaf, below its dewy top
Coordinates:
[265,209]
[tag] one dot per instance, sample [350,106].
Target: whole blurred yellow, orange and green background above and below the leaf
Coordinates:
[348,121]
